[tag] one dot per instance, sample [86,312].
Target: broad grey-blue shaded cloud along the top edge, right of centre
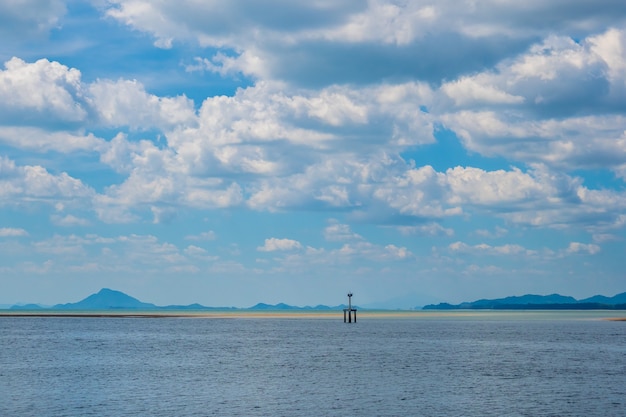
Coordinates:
[322,44]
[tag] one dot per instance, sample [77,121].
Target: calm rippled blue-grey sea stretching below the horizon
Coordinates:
[488,364]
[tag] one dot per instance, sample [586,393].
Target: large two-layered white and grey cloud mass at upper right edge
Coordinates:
[567,113]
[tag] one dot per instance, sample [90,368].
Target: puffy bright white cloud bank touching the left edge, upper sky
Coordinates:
[49,94]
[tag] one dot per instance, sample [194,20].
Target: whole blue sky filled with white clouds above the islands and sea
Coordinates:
[230,153]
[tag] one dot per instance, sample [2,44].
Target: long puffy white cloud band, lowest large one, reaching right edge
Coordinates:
[539,197]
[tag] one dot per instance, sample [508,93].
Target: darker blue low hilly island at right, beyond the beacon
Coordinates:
[539,302]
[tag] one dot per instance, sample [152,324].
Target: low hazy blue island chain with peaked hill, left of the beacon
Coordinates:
[107,299]
